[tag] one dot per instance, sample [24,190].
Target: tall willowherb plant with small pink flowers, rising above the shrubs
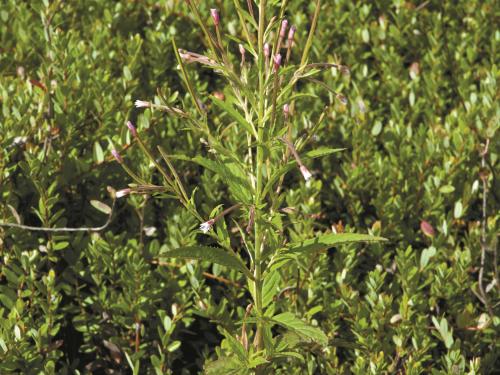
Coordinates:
[251,153]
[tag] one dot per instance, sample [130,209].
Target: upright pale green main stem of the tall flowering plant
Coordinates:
[258,190]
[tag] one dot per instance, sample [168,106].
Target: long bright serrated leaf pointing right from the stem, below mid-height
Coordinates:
[327,241]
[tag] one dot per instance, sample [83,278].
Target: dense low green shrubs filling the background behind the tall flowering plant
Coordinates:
[422,105]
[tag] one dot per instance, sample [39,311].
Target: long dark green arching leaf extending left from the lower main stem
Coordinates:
[210,254]
